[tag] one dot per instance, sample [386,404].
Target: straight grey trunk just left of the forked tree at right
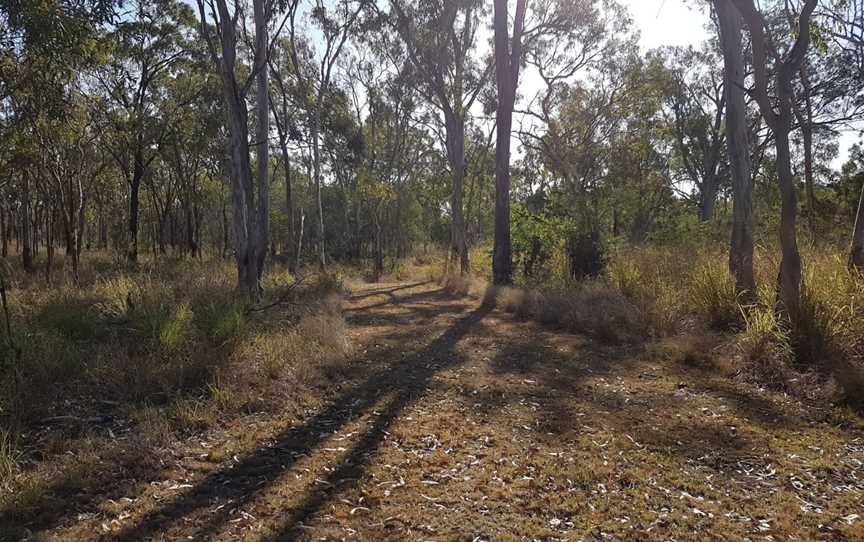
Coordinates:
[741,247]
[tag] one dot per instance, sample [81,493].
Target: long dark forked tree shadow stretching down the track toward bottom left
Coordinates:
[399,383]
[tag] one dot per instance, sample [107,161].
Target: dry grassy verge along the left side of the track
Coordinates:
[168,347]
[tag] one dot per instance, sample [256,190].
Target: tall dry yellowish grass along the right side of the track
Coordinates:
[649,294]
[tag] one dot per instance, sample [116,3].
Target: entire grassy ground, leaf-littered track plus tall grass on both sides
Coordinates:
[520,431]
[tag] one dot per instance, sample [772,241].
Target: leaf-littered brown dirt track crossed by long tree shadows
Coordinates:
[454,421]
